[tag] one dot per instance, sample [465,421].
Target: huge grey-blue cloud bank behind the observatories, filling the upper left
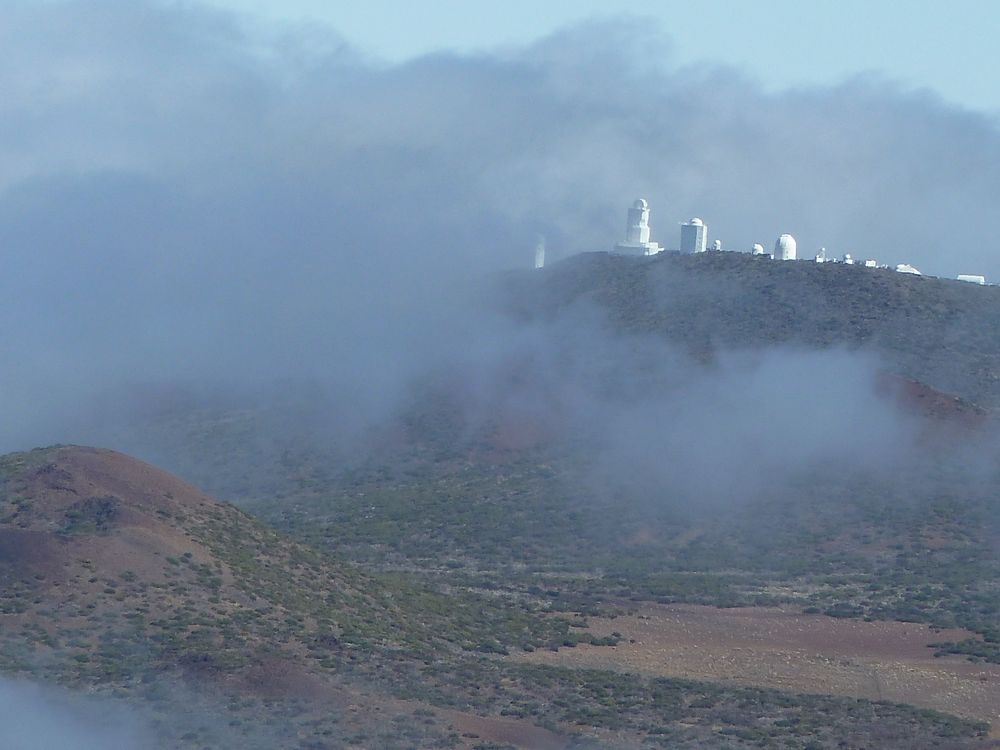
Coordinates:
[189,198]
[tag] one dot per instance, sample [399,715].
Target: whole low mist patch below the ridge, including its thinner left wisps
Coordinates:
[648,421]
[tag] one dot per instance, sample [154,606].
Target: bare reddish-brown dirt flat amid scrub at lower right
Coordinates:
[777,648]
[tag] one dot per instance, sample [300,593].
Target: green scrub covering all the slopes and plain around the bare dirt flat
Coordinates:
[409,572]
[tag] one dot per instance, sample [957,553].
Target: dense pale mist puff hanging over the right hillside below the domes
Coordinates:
[754,423]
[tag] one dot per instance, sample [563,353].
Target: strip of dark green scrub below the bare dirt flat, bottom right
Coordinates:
[685,713]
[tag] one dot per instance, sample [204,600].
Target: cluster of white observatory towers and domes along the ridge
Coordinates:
[694,239]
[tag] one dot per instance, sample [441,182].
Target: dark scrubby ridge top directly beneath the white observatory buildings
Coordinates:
[943,333]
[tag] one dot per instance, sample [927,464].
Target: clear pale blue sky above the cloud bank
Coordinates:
[948,47]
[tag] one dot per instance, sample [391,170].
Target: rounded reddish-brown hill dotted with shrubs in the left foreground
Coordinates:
[117,575]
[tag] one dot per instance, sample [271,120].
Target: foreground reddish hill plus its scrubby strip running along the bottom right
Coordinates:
[122,580]
